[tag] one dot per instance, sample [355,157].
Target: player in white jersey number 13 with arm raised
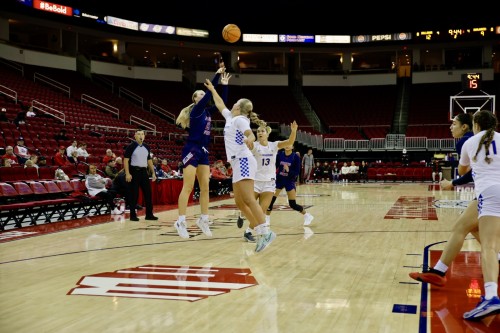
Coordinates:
[265,179]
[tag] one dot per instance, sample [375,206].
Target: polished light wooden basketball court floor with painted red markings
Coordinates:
[346,272]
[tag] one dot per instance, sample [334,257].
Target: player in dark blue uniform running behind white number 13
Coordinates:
[288,163]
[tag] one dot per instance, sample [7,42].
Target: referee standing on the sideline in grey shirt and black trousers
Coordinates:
[136,161]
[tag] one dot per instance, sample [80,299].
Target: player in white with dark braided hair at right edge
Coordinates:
[482,154]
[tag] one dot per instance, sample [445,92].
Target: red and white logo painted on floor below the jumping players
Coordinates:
[179,283]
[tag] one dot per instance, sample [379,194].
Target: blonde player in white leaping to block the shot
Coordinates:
[238,138]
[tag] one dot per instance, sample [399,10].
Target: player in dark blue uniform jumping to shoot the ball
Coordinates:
[197,119]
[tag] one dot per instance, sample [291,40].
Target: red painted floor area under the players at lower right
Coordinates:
[461,294]
